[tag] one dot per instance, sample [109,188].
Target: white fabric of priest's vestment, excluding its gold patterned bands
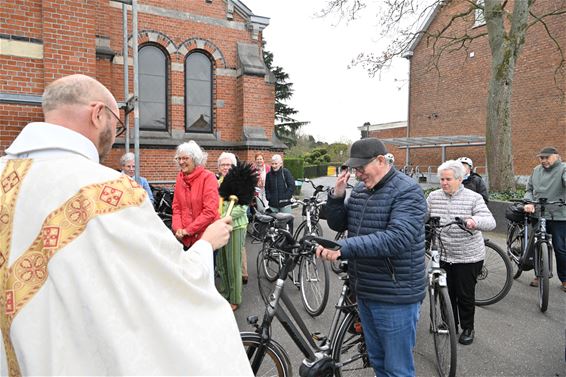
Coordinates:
[122,298]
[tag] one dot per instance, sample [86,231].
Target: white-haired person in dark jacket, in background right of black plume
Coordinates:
[279,186]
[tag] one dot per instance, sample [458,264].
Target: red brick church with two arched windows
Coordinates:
[201,72]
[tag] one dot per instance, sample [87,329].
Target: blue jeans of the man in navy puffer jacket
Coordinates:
[390,332]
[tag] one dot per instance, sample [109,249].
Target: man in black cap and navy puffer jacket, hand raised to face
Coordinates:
[384,217]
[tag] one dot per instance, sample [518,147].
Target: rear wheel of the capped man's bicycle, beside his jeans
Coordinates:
[349,349]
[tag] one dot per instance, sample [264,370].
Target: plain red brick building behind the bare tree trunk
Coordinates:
[452,101]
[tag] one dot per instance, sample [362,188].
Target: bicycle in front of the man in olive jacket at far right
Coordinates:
[532,250]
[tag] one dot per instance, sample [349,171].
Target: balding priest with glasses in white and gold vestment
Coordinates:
[93,281]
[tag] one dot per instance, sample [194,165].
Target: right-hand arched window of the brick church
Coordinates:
[198,93]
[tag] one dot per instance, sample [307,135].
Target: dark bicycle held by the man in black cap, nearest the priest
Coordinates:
[341,353]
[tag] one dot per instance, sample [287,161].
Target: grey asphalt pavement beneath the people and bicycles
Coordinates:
[513,338]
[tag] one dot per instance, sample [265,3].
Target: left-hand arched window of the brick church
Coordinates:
[153,88]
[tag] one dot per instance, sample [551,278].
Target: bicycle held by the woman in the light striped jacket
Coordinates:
[442,325]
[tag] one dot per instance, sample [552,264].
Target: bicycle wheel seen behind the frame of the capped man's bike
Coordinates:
[315,285]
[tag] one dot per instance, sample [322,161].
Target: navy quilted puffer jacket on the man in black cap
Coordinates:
[385,244]
